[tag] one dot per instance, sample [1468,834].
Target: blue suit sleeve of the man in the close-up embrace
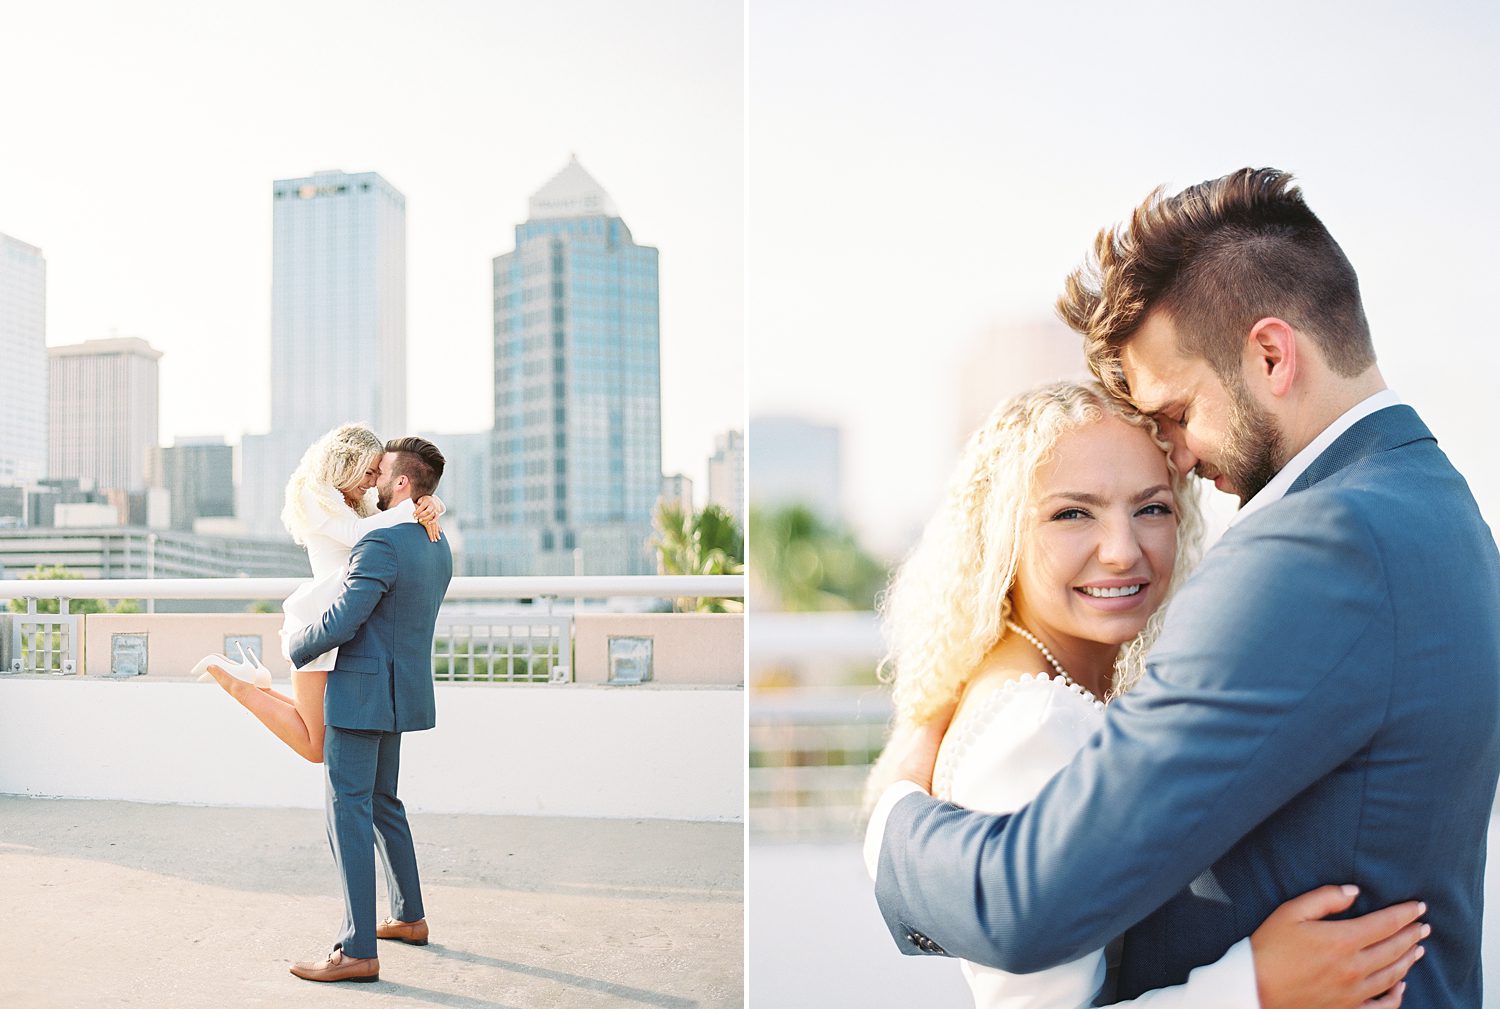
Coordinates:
[1274,668]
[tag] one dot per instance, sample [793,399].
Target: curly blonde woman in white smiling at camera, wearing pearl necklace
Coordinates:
[1031,600]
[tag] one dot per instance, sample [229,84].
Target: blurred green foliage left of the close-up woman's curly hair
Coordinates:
[808,564]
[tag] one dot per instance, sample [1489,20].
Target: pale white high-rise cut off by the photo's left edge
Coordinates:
[23,353]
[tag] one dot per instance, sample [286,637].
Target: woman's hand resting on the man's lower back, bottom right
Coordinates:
[1358,963]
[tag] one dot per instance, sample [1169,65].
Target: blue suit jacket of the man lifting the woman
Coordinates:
[382,626]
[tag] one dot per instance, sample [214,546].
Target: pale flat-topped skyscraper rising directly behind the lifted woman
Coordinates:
[338,326]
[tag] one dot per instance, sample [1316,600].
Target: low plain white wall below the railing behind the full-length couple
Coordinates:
[647,752]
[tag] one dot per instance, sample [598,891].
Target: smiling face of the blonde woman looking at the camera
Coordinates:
[1103,539]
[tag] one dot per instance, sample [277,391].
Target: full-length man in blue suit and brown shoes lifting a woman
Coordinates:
[379,689]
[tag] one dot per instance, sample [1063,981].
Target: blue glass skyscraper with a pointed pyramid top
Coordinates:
[578,388]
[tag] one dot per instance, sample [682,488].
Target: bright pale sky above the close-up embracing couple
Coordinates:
[923,173]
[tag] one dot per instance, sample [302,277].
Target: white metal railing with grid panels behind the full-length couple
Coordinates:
[526,647]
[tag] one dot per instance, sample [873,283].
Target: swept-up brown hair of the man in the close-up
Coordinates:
[1217,259]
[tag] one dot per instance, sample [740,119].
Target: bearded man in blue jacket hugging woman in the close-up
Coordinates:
[1324,702]
